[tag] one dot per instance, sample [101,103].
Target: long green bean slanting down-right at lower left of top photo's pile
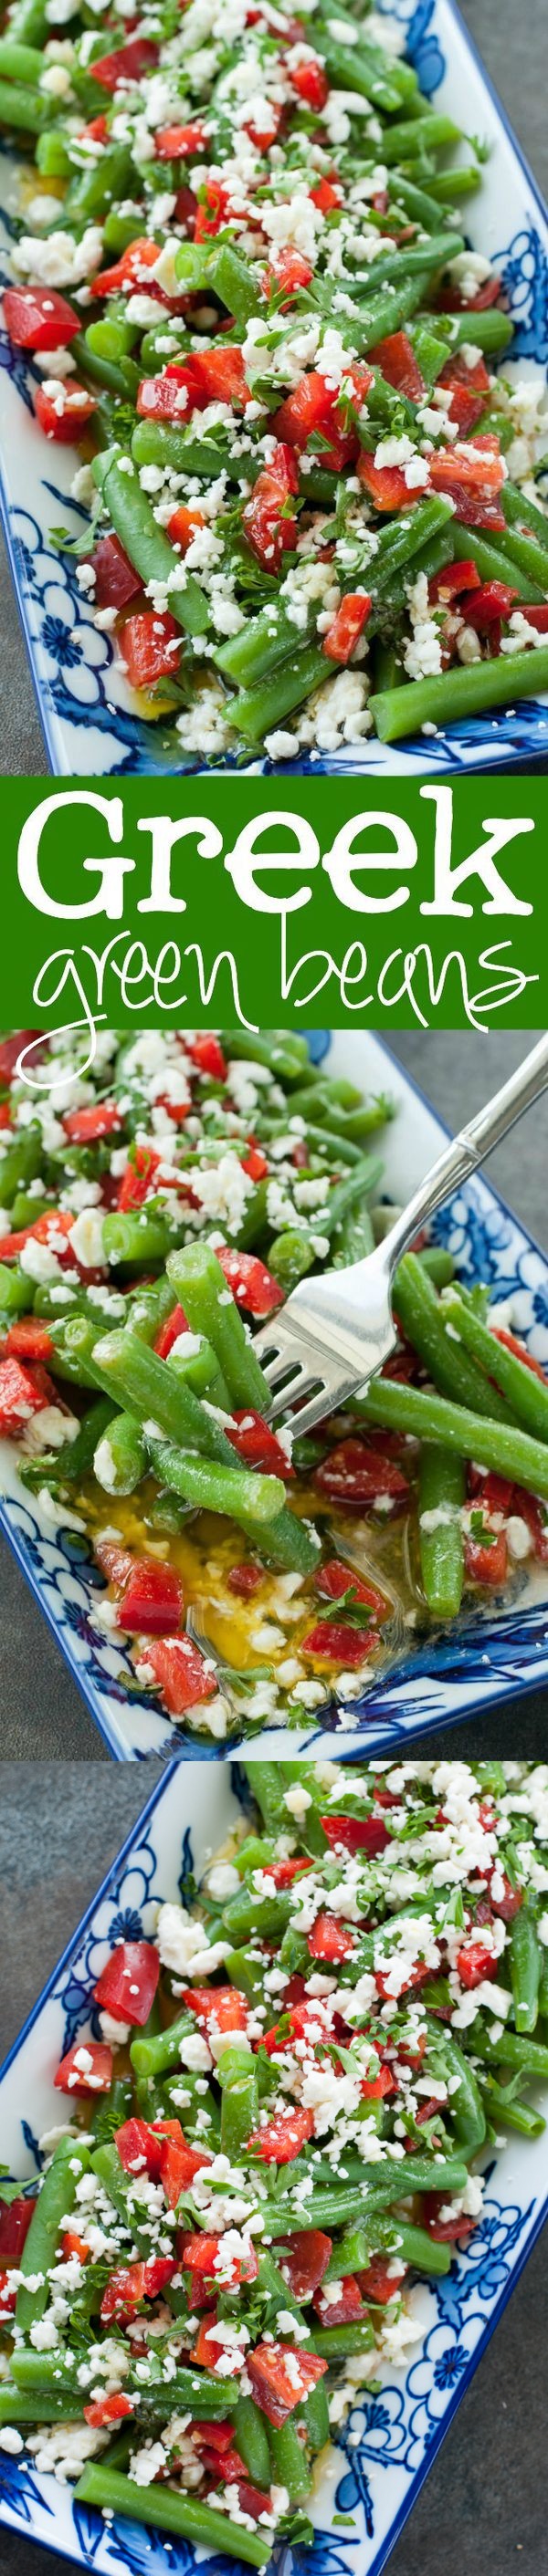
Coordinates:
[145,542]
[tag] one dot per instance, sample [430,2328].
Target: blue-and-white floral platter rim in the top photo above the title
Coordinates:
[86,710]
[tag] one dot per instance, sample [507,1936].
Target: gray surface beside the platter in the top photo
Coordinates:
[513,43]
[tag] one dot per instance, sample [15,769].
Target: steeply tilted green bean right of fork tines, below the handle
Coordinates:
[446,1361]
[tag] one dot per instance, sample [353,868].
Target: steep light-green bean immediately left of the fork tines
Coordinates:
[210,1307]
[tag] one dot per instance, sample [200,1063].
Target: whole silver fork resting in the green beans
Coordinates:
[338,1331]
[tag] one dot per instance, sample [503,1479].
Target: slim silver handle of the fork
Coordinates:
[470,1150]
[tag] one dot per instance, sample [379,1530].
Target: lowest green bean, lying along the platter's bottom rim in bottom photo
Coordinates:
[171,2513]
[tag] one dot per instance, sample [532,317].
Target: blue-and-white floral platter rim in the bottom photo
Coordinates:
[392,2433]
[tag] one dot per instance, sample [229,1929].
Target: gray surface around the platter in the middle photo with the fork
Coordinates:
[42,1712]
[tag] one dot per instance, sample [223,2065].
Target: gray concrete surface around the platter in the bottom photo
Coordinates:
[485,2500]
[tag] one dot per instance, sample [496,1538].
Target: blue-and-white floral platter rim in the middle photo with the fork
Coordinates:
[485,1658]
